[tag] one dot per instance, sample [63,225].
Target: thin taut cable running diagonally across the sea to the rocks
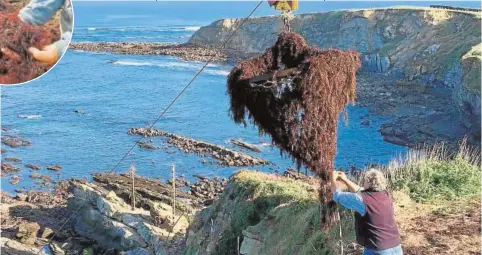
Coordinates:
[162,114]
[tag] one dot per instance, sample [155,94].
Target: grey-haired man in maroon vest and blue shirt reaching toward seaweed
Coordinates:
[375,224]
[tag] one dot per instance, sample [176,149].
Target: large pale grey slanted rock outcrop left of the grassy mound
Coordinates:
[106,218]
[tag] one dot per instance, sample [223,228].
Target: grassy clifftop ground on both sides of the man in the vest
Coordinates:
[429,189]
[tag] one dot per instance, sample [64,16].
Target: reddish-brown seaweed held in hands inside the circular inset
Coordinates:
[16,64]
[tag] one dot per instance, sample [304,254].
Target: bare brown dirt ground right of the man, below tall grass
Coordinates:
[425,230]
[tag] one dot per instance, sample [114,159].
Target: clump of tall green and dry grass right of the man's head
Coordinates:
[433,174]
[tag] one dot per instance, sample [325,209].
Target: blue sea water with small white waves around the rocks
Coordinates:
[118,92]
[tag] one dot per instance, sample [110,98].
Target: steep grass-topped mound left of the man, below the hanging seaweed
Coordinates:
[282,213]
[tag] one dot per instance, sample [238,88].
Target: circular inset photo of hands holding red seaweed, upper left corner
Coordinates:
[34,35]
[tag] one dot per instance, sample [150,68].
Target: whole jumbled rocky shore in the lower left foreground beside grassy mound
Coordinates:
[98,217]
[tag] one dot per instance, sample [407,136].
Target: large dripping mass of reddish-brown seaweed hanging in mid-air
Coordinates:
[299,112]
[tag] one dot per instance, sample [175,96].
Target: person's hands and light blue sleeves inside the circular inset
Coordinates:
[38,12]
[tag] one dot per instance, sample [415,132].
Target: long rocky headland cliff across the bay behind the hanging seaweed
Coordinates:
[438,47]
